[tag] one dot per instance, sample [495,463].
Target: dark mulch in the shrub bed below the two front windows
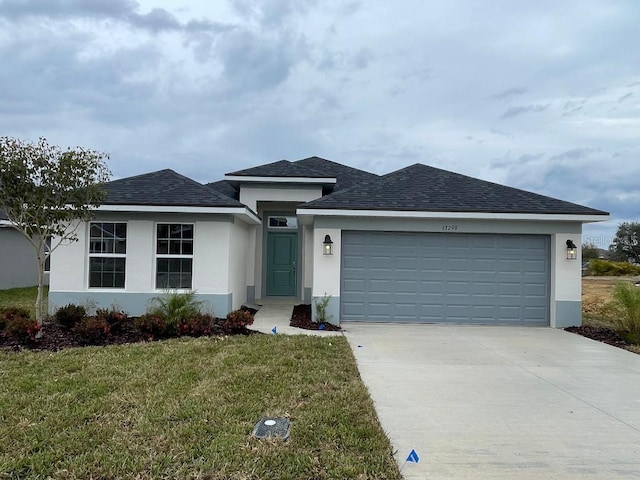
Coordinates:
[55,338]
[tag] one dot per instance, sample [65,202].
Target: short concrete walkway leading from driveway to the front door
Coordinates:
[276,313]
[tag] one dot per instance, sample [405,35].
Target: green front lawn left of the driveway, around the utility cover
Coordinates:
[186,408]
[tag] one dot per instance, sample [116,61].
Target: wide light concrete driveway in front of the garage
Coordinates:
[502,402]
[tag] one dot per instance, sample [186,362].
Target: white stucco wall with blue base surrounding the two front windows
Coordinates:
[219,244]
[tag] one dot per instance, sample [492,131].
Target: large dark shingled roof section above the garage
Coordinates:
[423,188]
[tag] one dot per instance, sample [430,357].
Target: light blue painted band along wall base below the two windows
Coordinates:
[134,303]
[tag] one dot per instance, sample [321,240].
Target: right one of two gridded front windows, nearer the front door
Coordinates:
[174,255]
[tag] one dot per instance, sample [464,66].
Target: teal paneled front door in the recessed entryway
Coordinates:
[282,251]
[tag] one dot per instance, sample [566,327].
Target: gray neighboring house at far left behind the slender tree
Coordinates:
[18,264]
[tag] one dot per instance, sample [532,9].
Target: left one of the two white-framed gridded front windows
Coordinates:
[107,254]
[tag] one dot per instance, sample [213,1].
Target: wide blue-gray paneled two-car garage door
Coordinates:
[435,278]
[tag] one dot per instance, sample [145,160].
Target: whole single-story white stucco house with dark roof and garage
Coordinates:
[417,245]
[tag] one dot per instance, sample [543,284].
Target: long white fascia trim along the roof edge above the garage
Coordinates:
[459,215]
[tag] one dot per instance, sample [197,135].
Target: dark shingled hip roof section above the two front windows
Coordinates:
[167,188]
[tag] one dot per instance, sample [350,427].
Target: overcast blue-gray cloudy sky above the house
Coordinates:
[540,95]
